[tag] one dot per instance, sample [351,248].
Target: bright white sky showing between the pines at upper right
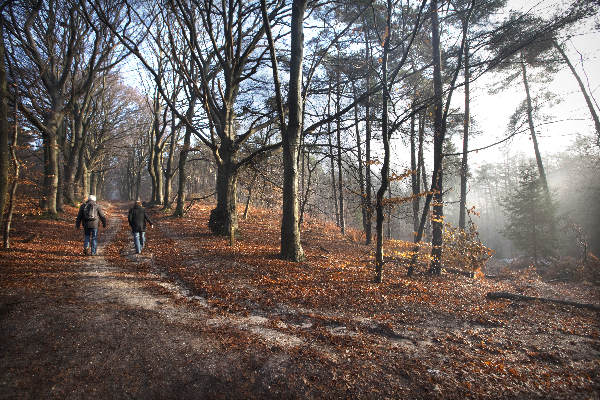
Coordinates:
[571,115]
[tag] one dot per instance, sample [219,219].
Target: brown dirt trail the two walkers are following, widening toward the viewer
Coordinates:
[110,336]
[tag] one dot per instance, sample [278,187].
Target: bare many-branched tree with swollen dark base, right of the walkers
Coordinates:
[215,50]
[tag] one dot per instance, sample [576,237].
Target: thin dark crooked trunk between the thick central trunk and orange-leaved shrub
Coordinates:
[386,154]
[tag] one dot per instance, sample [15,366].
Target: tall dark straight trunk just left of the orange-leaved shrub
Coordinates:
[438,210]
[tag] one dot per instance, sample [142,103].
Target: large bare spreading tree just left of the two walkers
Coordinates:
[49,41]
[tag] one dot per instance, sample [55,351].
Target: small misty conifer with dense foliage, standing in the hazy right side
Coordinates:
[530,215]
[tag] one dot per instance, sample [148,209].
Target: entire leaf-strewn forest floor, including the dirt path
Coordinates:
[193,317]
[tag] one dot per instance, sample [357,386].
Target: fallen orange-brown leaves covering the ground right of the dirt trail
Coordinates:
[439,337]
